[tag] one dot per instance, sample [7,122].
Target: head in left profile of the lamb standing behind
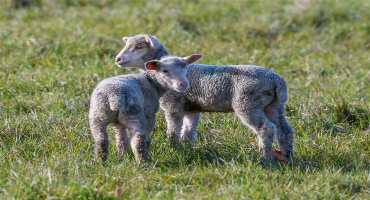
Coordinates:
[140,49]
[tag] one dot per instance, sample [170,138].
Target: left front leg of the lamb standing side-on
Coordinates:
[174,124]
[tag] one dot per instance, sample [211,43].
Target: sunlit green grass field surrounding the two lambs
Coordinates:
[54,53]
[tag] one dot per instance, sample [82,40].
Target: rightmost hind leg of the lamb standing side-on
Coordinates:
[285,134]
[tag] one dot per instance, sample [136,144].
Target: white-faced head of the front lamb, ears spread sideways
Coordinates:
[171,71]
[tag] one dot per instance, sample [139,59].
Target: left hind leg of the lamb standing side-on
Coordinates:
[255,118]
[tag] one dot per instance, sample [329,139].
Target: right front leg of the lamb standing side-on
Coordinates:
[189,128]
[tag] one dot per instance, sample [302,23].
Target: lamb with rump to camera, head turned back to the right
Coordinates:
[131,102]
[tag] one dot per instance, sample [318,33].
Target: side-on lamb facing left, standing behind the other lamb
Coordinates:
[257,96]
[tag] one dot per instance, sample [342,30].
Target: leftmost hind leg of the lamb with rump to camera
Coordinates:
[99,133]
